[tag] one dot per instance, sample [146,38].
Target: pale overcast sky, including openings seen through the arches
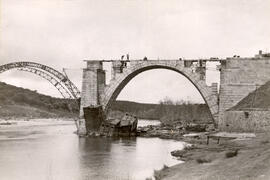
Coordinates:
[63,33]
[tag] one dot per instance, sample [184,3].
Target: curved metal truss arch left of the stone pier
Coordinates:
[67,89]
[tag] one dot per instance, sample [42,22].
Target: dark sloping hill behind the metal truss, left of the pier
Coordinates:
[19,102]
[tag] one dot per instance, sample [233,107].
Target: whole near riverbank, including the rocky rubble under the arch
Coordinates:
[212,155]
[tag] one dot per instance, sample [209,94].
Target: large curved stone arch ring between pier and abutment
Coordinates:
[121,79]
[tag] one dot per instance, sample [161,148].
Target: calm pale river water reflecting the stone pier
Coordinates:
[49,150]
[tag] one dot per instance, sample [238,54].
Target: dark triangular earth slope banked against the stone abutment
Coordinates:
[258,99]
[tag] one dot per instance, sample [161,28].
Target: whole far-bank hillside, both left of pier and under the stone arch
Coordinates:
[16,102]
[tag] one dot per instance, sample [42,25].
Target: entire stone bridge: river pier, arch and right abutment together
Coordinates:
[239,77]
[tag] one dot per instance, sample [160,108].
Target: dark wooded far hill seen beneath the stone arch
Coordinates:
[165,112]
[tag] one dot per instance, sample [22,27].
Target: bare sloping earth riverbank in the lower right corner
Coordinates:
[239,158]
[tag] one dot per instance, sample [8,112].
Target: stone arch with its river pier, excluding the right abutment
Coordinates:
[95,92]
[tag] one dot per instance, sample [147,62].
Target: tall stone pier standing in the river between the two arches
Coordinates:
[93,84]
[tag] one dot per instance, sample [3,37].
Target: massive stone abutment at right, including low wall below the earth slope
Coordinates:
[238,78]
